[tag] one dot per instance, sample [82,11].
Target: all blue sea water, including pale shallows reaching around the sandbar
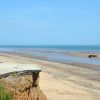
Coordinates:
[53,53]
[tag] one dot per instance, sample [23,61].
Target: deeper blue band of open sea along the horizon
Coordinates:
[62,48]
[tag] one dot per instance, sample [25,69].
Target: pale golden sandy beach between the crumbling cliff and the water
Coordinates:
[60,81]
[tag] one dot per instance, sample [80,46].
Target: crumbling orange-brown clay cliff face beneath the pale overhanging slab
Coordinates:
[24,87]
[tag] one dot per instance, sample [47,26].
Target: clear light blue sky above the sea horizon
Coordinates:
[49,22]
